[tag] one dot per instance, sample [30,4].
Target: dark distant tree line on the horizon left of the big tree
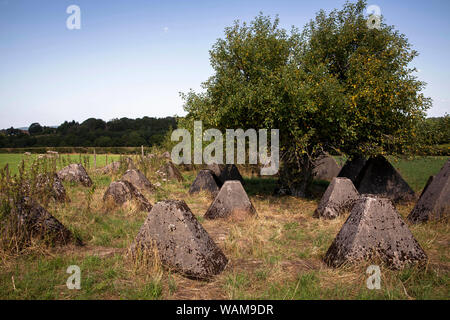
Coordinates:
[92,132]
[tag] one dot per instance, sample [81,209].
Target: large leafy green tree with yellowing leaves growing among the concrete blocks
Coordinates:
[338,85]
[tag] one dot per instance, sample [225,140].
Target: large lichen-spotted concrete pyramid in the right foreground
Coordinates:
[375,230]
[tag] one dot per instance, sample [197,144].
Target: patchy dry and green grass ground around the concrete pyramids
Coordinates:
[275,256]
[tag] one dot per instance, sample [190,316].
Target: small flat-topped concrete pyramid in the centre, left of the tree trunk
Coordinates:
[231,202]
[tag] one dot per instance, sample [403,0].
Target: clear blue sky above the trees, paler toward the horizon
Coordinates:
[131,58]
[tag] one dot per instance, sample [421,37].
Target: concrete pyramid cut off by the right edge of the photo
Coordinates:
[434,203]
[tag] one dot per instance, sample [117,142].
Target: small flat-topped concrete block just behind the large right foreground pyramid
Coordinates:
[339,197]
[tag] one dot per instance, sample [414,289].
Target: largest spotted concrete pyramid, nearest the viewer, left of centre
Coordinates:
[182,243]
